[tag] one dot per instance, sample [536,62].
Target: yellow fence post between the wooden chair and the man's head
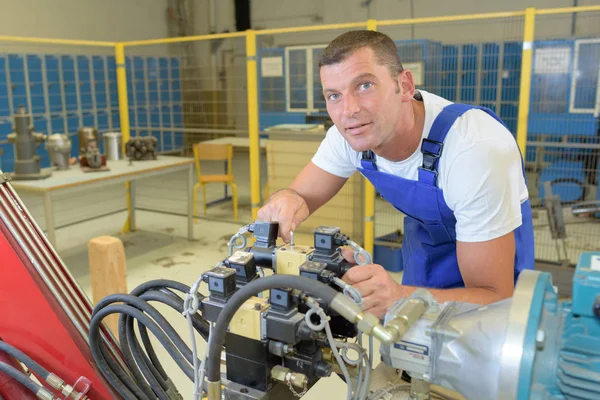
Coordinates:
[252,82]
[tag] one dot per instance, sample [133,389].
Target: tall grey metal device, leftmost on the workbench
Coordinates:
[26,141]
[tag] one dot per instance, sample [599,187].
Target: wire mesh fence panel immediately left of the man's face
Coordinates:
[294,119]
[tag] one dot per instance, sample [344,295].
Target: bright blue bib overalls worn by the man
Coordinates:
[429,243]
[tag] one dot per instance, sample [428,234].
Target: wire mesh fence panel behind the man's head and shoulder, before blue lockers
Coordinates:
[474,62]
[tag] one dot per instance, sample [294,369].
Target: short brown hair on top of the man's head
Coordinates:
[346,44]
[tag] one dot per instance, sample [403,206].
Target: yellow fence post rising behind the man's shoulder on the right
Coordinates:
[525,92]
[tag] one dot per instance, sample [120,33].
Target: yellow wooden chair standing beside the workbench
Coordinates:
[214,152]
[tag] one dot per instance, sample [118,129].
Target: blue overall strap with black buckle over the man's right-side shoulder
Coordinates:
[432,145]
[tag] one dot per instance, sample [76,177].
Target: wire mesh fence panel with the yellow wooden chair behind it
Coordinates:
[189,93]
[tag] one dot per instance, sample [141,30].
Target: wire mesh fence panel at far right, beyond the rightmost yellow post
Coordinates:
[563,134]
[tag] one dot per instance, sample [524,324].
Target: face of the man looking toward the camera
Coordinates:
[363,99]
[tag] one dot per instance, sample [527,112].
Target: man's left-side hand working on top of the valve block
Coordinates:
[286,207]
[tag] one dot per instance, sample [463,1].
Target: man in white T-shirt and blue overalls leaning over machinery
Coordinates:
[455,171]
